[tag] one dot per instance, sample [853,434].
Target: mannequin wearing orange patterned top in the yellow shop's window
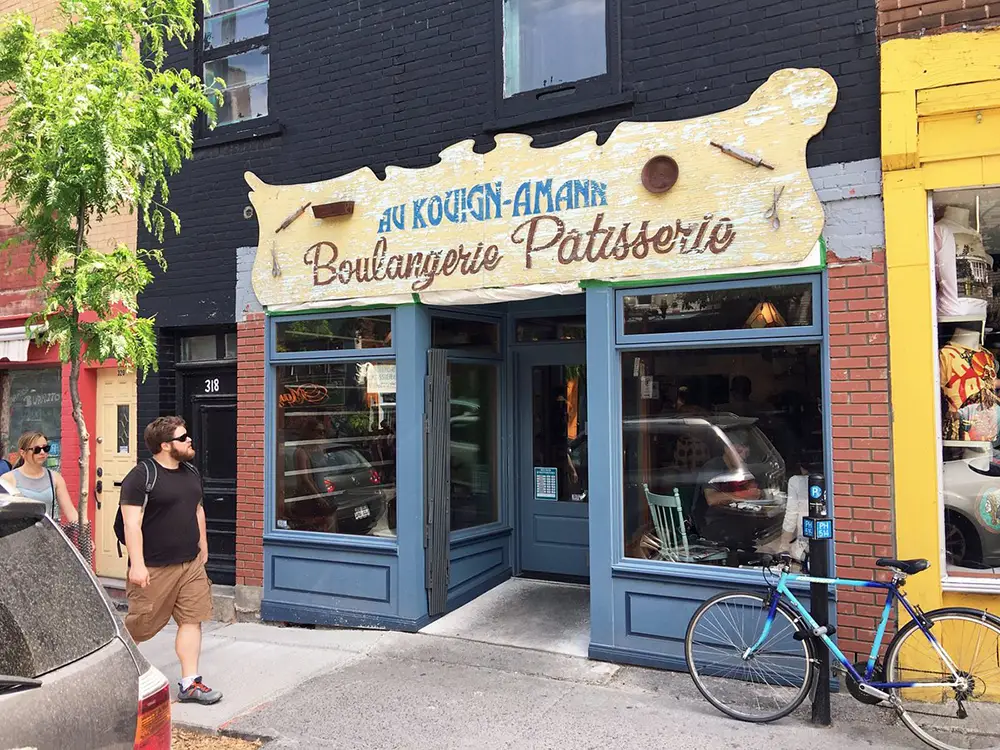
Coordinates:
[968,382]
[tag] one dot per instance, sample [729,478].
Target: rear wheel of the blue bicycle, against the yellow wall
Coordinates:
[943,710]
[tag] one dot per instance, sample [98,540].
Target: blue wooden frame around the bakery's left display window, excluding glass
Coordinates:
[339,579]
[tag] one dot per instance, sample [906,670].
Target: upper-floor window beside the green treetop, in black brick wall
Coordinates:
[235,57]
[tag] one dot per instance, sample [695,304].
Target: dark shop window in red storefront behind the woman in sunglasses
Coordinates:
[35,405]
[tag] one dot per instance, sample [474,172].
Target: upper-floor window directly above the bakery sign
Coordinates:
[551,42]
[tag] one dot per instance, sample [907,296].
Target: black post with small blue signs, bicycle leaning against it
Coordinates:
[818,528]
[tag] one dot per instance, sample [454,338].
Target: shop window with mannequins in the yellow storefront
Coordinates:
[965,246]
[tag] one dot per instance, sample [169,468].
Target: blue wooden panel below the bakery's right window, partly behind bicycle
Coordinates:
[652,614]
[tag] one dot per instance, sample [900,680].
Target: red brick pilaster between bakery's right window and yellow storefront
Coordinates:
[862,469]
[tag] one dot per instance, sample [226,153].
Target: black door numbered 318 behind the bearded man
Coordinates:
[211,416]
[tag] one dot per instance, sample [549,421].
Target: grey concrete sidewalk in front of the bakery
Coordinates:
[316,689]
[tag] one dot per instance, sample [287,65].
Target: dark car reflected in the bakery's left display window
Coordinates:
[351,490]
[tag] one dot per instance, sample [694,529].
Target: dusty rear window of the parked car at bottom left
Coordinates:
[51,614]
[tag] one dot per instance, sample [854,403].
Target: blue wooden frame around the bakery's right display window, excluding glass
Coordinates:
[640,609]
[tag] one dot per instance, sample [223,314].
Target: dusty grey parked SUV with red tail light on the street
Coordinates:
[70,675]
